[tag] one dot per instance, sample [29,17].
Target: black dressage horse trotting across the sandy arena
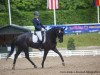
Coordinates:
[24,41]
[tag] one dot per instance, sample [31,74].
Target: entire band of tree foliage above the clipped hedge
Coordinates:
[31,5]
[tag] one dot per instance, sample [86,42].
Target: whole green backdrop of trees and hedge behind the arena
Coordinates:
[70,11]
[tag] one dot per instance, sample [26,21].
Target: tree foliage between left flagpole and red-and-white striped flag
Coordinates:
[29,5]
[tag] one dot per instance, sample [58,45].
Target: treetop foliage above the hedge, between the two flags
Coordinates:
[75,4]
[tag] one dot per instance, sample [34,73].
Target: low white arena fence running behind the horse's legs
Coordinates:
[66,53]
